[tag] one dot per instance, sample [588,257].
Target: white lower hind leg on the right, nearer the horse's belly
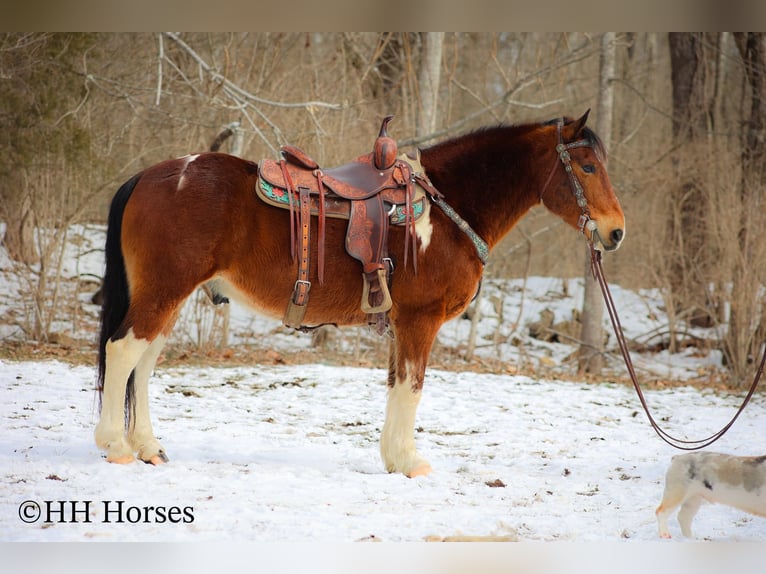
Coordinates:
[141,435]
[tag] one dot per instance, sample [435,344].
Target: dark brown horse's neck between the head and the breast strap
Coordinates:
[490,190]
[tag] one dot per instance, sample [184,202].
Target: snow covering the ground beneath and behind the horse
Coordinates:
[289,452]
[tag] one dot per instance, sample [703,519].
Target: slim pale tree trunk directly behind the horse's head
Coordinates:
[590,358]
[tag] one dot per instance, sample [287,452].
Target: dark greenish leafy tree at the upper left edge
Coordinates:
[39,92]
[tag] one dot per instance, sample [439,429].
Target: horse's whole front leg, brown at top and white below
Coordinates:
[409,355]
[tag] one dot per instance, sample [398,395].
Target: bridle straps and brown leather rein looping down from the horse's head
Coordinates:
[598,274]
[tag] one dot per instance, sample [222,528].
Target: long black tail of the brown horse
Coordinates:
[116,297]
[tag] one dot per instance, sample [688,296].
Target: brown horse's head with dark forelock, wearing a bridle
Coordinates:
[577,188]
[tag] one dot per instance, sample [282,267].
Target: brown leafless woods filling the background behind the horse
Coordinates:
[682,114]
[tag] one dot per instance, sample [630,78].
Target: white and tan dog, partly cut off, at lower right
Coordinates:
[738,481]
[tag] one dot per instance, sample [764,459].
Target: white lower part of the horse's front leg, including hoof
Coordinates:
[397,441]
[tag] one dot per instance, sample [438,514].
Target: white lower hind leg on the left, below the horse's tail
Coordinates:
[121,358]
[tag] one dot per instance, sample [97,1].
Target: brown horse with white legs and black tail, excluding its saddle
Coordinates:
[189,221]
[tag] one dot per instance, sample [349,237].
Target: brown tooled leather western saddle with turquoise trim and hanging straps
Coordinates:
[371,192]
